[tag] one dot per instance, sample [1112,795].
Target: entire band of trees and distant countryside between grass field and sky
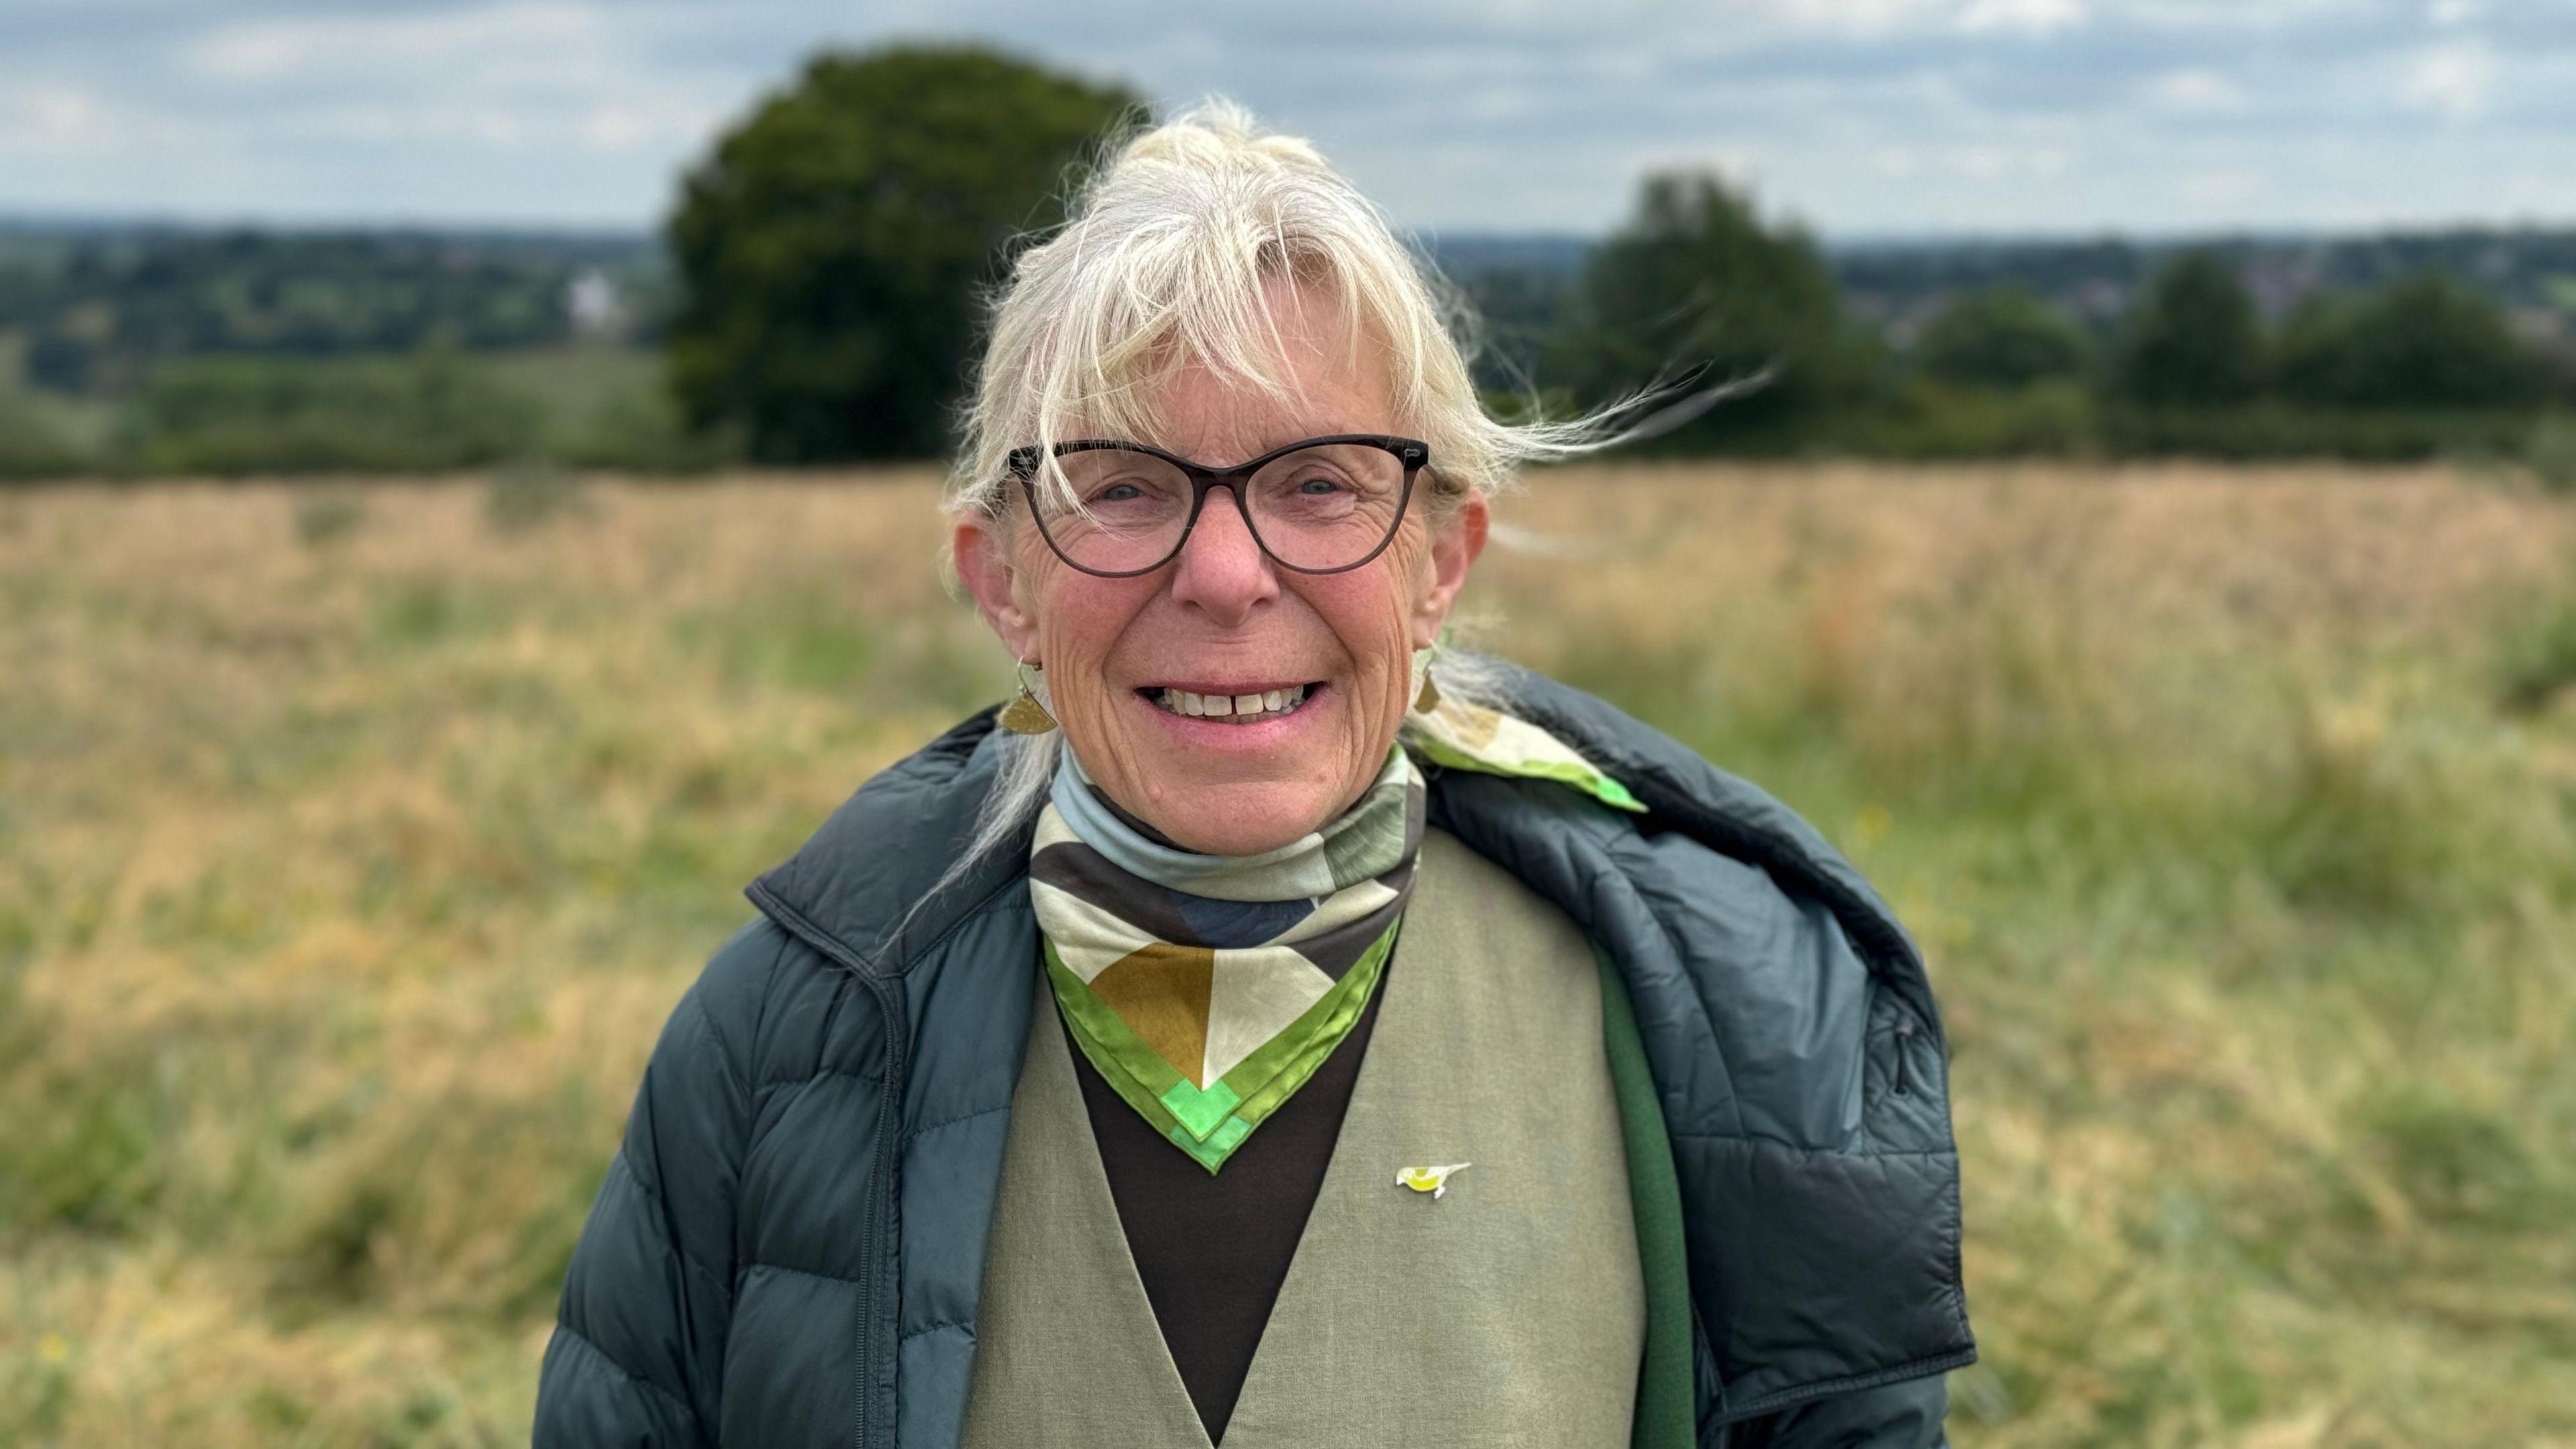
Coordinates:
[815,300]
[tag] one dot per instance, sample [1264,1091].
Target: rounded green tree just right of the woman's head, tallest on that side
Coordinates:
[1699,280]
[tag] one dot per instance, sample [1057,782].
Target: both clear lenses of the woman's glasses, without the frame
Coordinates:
[1315,509]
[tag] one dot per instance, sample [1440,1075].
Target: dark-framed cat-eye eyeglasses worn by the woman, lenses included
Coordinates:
[1315,507]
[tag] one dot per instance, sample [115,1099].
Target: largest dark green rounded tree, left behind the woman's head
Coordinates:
[831,249]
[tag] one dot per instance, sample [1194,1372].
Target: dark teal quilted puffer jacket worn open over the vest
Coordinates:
[790,1244]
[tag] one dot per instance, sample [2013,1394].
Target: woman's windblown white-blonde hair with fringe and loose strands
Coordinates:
[1166,262]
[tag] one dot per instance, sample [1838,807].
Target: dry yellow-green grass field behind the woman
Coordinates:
[357,842]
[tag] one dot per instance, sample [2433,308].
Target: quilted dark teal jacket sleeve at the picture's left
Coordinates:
[638,1355]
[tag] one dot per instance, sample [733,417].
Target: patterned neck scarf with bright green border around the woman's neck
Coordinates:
[1209,989]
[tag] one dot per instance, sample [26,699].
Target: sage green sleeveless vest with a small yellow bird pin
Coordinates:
[1506,1311]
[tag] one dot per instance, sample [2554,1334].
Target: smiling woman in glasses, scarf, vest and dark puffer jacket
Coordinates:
[1274,1030]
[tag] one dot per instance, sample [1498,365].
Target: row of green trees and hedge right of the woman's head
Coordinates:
[2410,367]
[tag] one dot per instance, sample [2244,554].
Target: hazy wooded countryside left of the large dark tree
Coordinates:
[161,349]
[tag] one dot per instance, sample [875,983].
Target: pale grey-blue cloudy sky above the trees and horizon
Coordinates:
[1864,117]
